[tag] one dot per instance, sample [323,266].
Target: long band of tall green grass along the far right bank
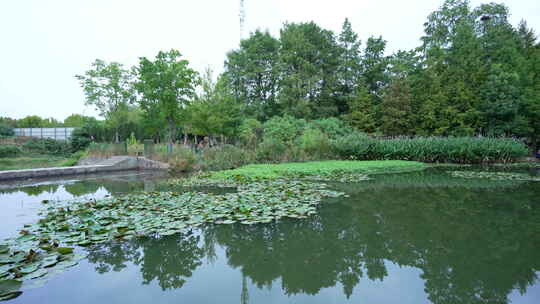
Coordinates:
[431,149]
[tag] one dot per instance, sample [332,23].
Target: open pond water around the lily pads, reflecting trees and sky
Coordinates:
[421,237]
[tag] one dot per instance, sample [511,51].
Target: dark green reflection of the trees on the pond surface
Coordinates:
[473,246]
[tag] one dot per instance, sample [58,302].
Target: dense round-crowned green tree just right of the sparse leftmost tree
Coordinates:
[166,85]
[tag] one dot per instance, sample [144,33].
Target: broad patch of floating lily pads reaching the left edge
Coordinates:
[47,246]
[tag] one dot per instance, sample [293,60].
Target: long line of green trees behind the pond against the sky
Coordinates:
[473,74]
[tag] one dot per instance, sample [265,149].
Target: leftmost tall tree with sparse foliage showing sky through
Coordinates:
[108,87]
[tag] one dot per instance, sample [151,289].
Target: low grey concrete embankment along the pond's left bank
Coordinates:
[116,163]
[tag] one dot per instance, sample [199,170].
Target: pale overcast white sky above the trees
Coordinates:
[44,43]
